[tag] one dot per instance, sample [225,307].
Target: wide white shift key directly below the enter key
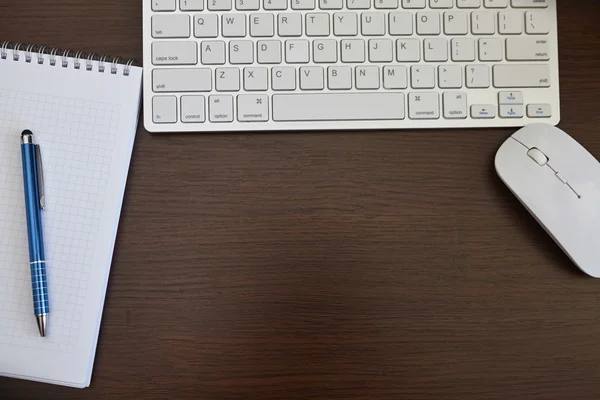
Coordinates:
[521,75]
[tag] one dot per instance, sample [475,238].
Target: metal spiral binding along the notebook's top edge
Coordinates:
[64,58]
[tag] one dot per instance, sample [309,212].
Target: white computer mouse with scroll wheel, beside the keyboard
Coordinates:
[558,181]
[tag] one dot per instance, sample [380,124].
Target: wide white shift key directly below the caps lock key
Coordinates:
[182,80]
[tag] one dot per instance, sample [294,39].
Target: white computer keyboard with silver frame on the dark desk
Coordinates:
[247,65]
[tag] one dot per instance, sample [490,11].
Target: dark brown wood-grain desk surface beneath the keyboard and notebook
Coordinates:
[363,265]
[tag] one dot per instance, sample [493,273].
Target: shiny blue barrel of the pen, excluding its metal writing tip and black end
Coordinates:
[34,229]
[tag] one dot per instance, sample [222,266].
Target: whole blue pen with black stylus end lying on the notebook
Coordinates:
[33,179]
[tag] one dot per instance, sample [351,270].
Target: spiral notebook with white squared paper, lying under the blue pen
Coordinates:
[83,112]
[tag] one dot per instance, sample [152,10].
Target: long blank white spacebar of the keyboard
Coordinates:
[338,106]
